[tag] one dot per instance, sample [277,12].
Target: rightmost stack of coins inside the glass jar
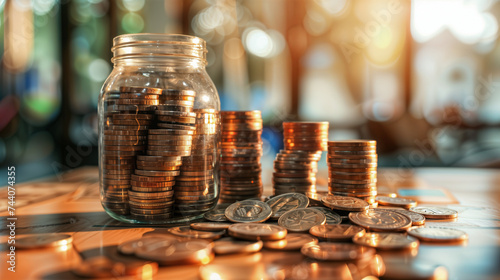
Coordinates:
[194,187]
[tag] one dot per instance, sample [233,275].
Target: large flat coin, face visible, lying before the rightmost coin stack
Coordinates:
[380,220]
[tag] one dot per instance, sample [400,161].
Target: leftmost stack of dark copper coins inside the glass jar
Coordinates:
[128,114]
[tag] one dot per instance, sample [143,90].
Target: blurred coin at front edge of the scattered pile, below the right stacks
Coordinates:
[337,251]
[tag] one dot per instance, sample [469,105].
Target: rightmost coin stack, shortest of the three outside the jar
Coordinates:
[352,169]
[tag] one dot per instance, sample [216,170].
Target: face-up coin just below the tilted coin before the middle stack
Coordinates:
[302,219]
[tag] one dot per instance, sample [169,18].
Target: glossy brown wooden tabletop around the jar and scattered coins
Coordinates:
[70,204]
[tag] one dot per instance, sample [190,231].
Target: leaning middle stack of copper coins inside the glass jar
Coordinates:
[157,171]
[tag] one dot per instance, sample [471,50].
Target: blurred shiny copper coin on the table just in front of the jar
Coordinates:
[184,252]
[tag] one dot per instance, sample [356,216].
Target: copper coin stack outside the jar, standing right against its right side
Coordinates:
[241,148]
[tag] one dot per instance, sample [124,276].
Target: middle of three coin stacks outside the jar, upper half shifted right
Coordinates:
[296,166]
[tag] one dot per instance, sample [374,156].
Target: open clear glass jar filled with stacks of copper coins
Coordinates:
[159,129]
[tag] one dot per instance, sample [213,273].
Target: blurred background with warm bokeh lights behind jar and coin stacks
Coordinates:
[421,77]
